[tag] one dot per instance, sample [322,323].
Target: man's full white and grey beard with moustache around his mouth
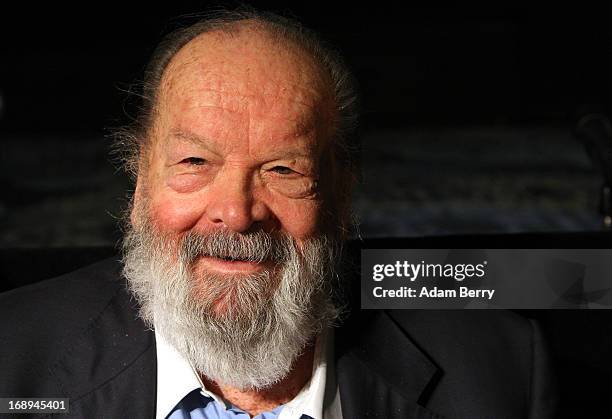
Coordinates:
[266,319]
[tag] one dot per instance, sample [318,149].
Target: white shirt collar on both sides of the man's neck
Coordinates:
[176,378]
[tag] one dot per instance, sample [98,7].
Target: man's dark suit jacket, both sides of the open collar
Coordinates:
[78,336]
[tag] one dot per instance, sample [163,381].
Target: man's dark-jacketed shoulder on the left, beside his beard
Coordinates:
[74,334]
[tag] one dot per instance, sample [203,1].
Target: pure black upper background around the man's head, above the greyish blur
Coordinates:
[63,67]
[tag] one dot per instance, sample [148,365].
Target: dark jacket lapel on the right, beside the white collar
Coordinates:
[380,372]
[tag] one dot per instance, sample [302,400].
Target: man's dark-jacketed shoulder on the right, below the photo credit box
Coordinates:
[443,358]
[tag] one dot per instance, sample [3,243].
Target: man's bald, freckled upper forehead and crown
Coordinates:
[249,58]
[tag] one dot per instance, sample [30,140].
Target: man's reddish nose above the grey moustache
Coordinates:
[234,203]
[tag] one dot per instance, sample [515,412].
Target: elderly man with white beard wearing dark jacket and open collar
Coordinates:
[244,163]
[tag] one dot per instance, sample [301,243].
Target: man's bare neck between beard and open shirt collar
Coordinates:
[255,402]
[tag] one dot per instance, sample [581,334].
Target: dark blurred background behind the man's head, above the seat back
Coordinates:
[467,125]
